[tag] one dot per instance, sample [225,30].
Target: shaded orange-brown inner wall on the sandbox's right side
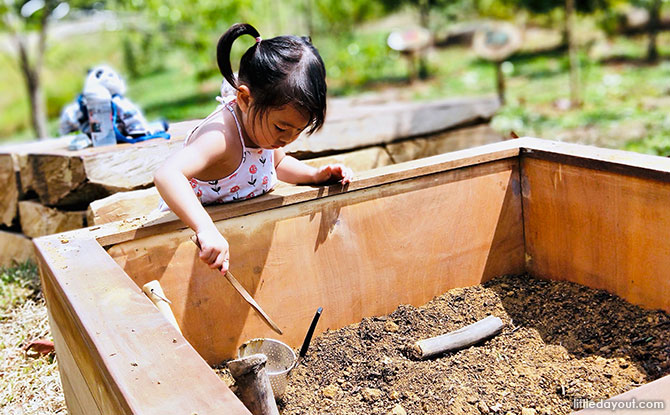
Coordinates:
[601,225]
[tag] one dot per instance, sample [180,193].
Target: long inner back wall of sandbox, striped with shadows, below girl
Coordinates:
[356,254]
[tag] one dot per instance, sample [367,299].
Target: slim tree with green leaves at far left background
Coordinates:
[24,20]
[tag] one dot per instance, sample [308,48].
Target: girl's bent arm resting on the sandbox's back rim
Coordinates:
[291,170]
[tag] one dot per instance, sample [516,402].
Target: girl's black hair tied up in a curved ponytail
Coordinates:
[278,71]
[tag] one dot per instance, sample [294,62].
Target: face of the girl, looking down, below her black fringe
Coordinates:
[277,127]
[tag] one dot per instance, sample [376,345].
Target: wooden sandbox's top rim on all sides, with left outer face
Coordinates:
[135,349]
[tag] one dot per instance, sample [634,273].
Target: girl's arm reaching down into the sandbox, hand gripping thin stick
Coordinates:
[172,182]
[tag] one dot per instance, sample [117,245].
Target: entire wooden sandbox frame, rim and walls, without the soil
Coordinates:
[399,234]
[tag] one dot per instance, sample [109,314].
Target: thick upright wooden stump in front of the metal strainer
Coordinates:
[253,384]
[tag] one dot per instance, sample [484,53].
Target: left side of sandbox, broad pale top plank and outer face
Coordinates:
[117,354]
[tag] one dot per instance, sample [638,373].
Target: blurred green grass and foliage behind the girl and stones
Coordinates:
[166,49]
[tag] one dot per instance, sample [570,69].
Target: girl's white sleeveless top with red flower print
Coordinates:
[254,176]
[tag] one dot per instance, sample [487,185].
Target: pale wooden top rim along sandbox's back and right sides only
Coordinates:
[617,161]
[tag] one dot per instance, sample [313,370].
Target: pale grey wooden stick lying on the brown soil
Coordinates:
[458,339]
